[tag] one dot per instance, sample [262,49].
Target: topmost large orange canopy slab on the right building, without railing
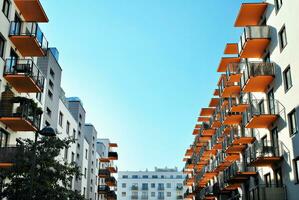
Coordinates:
[250,14]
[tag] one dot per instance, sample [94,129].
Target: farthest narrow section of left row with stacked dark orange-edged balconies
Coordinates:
[107,184]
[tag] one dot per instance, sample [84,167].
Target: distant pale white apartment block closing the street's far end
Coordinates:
[162,183]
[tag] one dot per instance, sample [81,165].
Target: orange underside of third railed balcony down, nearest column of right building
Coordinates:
[261,121]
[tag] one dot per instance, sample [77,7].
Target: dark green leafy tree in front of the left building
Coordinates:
[52,178]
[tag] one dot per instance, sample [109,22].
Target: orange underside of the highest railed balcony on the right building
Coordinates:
[254,48]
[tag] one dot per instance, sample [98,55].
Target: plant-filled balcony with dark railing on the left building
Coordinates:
[20,113]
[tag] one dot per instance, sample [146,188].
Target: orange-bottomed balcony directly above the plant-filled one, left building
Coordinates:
[24,75]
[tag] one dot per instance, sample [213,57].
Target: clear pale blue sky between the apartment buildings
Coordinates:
[143,68]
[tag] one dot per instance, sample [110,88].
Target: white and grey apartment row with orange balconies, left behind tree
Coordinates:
[31,71]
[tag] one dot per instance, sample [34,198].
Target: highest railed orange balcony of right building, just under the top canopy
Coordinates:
[254,41]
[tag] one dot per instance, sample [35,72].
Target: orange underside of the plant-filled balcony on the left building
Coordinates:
[18,124]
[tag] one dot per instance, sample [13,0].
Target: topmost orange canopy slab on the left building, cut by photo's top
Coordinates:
[31,10]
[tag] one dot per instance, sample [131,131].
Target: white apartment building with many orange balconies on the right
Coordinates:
[246,140]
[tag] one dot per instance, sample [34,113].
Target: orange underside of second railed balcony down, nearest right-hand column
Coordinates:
[257,84]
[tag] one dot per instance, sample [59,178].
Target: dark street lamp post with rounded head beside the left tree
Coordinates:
[47,132]
